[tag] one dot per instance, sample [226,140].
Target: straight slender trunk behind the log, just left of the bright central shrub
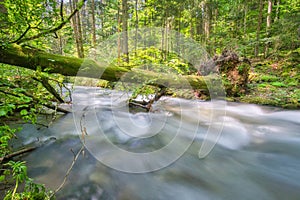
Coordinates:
[125,30]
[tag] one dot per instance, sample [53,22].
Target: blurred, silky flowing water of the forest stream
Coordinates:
[138,155]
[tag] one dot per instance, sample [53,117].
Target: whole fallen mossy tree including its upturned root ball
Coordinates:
[232,75]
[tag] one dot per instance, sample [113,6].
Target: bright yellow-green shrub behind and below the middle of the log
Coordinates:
[153,60]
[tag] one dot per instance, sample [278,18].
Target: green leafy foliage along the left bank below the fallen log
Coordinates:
[23,97]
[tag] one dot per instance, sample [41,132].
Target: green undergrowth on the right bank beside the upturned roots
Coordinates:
[275,83]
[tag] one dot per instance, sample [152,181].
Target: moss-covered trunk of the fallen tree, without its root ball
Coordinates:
[31,58]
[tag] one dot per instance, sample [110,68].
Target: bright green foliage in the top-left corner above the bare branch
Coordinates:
[27,17]
